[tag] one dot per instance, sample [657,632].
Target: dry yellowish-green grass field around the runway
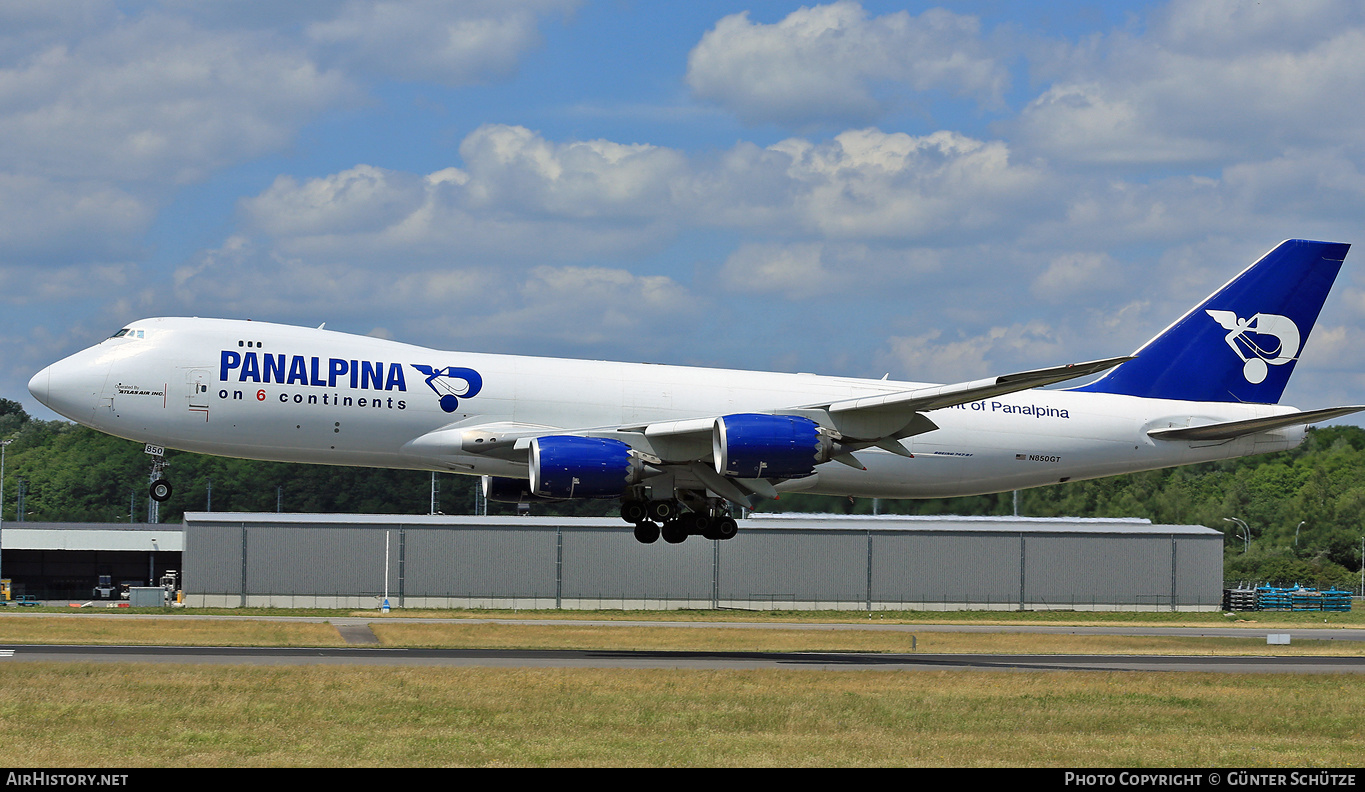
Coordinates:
[126,715]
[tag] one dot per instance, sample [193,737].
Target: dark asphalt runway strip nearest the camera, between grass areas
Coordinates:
[676,660]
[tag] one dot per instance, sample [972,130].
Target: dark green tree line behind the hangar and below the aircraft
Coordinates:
[1304,509]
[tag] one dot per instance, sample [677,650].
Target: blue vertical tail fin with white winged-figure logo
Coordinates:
[1243,342]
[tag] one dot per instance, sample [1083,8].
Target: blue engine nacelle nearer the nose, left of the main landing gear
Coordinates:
[582,468]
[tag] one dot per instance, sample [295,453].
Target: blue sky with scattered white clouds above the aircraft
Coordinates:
[937,193]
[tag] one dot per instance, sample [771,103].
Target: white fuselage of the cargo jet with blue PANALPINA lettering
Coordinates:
[338,399]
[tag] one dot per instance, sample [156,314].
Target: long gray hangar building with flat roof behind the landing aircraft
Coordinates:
[777,562]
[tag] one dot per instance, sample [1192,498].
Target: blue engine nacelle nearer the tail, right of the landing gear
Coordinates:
[754,446]
